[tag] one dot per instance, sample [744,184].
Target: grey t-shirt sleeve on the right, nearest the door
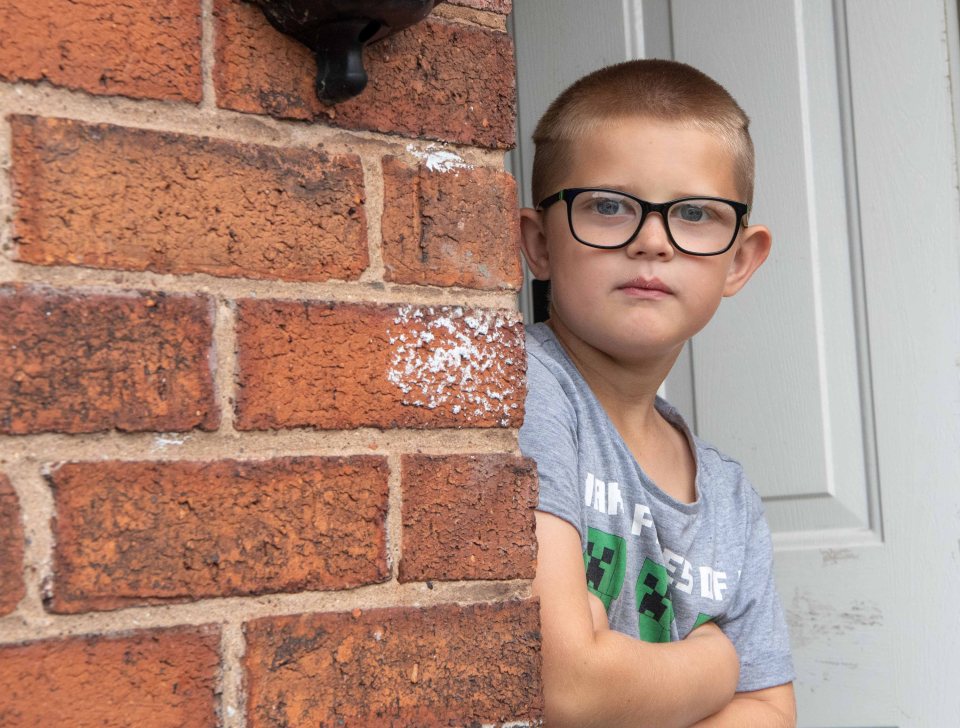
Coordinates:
[755,623]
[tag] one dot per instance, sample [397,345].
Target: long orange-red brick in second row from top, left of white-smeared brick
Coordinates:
[112,197]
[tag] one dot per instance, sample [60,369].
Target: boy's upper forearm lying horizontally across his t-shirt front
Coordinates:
[625,682]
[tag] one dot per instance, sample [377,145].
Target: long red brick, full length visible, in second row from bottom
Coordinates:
[144,532]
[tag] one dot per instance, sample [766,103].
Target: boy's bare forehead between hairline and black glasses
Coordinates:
[654,159]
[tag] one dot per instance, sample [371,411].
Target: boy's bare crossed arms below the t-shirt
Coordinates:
[594,676]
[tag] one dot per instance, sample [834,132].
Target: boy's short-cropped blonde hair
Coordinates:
[653,89]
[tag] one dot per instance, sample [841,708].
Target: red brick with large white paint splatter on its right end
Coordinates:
[341,366]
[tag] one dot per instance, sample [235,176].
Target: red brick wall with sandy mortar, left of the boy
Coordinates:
[261,372]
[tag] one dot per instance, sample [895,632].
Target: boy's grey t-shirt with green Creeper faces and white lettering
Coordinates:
[661,567]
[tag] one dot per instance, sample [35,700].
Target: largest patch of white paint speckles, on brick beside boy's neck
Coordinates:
[451,359]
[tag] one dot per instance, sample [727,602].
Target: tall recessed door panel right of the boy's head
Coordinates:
[801,305]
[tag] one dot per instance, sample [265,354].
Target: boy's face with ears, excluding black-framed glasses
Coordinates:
[644,300]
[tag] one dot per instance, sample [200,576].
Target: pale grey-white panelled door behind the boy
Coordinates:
[835,376]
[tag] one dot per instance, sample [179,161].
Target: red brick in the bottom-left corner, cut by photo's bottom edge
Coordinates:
[159,678]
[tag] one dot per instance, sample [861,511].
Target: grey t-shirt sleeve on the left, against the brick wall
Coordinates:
[548,436]
